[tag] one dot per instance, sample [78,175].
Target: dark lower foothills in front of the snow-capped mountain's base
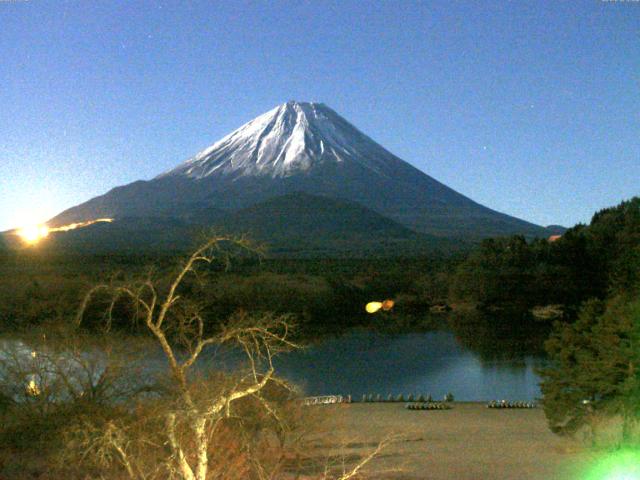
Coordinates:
[293,225]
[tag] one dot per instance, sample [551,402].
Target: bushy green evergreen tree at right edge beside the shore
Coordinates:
[595,366]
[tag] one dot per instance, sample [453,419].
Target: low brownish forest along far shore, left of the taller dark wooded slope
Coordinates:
[324,295]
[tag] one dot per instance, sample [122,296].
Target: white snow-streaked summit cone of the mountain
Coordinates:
[289,139]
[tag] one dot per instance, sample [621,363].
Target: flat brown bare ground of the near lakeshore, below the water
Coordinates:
[468,442]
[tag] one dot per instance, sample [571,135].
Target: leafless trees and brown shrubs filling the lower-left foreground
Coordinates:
[84,401]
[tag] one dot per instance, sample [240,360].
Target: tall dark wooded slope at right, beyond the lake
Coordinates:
[587,261]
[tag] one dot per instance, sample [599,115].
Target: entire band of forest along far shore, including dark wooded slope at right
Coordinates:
[508,274]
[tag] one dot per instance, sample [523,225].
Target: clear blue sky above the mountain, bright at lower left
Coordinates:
[530,108]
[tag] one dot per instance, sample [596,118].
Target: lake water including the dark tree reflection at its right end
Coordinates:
[472,364]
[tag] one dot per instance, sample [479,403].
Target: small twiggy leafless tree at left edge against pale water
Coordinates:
[42,374]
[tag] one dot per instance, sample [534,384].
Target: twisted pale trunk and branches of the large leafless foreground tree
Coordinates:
[170,316]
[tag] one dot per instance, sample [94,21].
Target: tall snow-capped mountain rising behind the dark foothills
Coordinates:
[300,148]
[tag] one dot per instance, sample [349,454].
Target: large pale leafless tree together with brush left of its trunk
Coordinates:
[195,411]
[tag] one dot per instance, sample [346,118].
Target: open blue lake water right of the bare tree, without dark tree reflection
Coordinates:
[413,363]
